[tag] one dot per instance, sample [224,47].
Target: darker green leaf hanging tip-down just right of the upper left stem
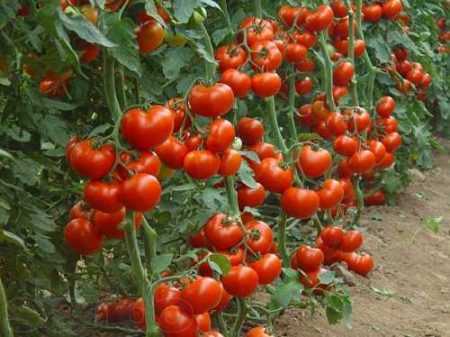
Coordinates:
[122,33]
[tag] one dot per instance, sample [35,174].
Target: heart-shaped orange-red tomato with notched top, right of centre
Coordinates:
[314,163]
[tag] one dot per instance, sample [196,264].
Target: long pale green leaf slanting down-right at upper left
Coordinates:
[84,29]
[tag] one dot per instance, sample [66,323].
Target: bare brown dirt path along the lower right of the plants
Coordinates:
[412,275]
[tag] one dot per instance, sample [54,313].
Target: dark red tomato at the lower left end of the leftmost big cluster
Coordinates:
[82,237]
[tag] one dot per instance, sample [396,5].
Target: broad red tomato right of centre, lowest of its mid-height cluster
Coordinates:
[293,197]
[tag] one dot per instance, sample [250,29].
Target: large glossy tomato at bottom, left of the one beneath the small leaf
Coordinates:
[201,295]
